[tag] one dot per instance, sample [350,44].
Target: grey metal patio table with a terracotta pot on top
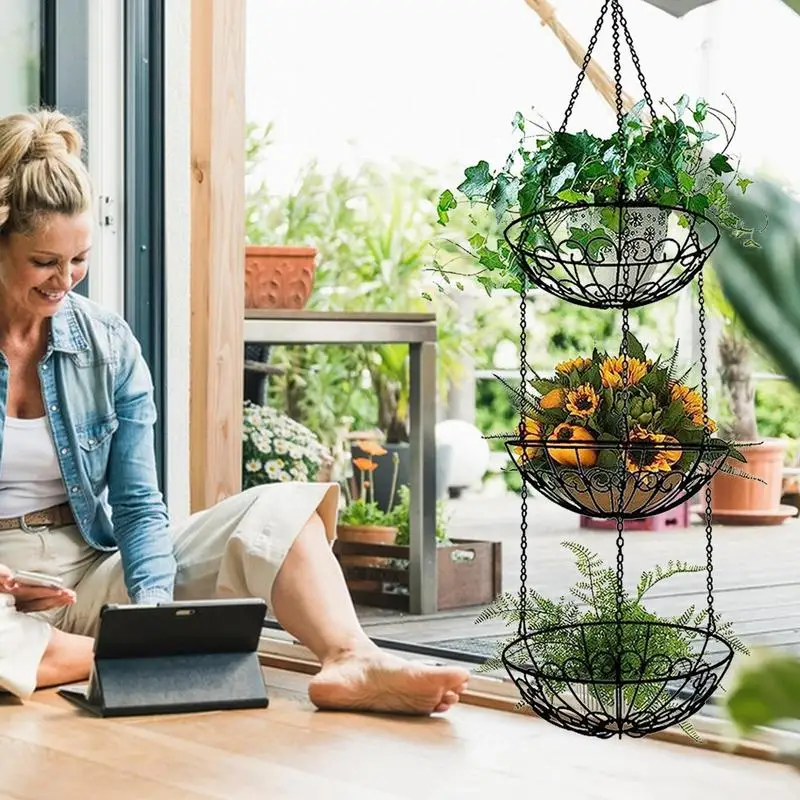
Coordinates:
[418,331]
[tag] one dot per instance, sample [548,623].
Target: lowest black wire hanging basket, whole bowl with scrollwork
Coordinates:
[607,679]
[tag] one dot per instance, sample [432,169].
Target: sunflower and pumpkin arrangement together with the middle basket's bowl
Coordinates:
[576,435]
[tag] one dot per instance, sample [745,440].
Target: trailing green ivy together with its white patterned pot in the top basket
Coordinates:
[662,163]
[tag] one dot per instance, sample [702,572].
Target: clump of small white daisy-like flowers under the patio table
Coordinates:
[276,448]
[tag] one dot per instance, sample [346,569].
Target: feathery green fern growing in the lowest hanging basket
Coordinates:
[593,598]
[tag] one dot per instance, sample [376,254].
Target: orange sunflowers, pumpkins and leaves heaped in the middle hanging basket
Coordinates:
[583,404]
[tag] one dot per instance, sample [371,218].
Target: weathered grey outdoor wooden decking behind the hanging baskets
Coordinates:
[757,570]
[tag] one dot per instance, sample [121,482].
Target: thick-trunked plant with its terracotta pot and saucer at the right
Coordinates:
[733,501]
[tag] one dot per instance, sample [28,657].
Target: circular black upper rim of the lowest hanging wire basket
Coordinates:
[702,667]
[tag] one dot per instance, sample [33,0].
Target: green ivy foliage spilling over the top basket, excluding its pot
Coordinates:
[662,160]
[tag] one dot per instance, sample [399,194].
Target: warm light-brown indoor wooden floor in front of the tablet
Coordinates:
[49,749]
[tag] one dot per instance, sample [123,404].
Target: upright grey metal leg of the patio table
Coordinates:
[422,528]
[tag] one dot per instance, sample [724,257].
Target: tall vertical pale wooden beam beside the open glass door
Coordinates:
[217,248]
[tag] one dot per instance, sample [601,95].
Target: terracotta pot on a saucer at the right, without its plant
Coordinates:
[743,501]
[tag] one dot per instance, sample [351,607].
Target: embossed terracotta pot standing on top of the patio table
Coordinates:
[278,277]
